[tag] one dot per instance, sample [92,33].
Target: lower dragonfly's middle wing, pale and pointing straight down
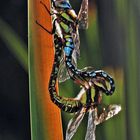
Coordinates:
[91,127]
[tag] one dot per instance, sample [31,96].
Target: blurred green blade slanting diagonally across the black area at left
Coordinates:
[14,43]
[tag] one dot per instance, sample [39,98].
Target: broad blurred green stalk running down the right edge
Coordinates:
[127,11]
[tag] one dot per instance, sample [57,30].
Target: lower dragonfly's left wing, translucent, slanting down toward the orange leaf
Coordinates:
[74,124]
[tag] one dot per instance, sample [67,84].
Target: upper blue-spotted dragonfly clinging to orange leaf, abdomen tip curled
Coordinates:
[66,24]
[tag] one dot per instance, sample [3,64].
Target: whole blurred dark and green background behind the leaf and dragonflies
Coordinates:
[110,43]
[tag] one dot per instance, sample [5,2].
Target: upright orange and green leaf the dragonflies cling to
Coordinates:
[45,116]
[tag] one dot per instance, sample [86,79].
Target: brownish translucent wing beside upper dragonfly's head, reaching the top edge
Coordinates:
[83,15]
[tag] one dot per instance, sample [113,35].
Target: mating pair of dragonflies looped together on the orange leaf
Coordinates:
[67,42]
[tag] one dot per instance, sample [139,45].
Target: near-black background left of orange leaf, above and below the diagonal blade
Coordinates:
[14,97]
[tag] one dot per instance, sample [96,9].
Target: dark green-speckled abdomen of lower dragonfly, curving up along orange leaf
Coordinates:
[66,104]
